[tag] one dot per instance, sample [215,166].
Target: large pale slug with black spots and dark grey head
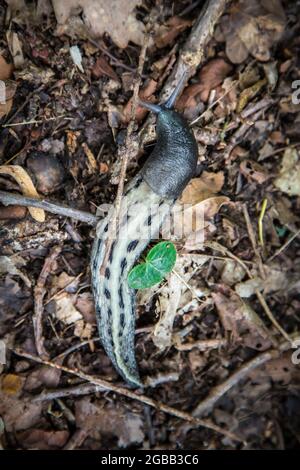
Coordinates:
[158,184]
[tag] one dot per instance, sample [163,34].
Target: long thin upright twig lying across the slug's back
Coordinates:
[125,154]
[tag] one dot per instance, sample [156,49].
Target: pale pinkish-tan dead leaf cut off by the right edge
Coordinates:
[288,180]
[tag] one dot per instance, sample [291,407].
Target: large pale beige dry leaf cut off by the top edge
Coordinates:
[114,17]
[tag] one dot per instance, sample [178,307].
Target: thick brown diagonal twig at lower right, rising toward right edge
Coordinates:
[217,392]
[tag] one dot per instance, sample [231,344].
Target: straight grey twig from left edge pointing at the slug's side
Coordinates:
[9,199]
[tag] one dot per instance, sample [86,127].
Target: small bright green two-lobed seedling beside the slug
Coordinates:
[160,260]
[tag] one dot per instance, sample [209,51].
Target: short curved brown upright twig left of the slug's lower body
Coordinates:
[39,293]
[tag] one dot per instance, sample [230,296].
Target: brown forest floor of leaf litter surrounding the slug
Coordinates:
[216,342]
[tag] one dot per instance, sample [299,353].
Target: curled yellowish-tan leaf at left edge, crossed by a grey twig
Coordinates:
[26,185]
